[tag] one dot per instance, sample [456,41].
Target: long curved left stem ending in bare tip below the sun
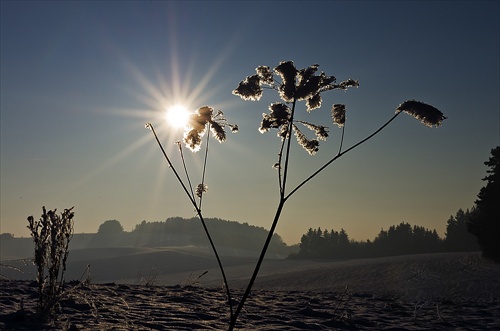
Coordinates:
[198,211]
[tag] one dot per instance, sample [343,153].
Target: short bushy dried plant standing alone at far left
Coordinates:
[51,235]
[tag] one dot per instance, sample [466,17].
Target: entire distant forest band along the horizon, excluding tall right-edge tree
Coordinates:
[317,243]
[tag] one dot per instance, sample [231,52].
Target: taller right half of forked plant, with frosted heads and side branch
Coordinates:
[295,85]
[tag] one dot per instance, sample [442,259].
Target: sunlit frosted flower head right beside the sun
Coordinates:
[197,126]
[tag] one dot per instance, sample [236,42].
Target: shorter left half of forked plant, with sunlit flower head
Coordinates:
[199,123]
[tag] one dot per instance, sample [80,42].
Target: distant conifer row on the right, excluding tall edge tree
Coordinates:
[397,240]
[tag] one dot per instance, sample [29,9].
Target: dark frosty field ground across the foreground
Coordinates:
[422,292]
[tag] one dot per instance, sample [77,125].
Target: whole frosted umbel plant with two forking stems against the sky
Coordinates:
[293,86]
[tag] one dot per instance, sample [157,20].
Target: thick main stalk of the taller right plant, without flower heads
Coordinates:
[271,230]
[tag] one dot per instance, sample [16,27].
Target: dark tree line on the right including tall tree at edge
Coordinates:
[477,229]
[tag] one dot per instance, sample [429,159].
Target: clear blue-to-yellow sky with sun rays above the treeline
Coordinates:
[80,79]
